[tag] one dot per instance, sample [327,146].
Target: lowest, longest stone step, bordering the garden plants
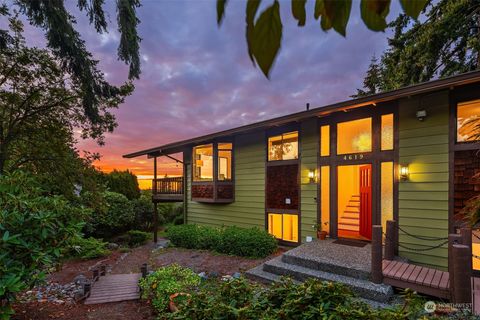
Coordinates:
[364,288]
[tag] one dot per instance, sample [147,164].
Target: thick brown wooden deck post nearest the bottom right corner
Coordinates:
[462,271]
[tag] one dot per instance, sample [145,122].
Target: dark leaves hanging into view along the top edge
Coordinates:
[264,35]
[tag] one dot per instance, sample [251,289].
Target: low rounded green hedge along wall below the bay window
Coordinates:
[254,243]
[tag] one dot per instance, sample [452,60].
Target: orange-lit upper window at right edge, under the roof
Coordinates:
[468,119]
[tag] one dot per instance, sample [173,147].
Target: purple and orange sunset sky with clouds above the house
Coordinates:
[197,78]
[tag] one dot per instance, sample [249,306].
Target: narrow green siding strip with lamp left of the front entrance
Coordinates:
[309,191]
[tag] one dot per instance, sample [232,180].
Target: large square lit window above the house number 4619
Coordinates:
[354,136]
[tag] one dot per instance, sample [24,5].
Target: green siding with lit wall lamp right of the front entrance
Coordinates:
[423,198]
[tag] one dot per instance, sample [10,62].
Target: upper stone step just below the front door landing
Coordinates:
[344,269]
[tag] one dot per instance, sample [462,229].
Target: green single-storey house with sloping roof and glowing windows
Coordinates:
[405,155]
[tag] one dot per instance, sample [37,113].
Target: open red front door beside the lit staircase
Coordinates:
[366,201]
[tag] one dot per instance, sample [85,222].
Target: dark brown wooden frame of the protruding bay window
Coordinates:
[215,184]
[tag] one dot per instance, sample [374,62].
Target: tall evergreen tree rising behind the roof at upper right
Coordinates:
[446,43]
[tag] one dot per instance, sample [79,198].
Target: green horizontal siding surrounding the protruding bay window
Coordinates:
[248,210]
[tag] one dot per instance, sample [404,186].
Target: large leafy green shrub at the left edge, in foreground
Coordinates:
[35,232]
